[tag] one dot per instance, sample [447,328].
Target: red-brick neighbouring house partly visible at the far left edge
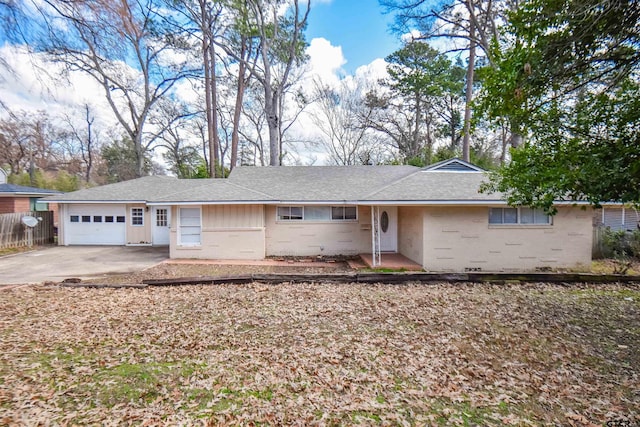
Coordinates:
[18,198]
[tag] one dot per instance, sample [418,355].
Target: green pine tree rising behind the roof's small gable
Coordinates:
[421,105]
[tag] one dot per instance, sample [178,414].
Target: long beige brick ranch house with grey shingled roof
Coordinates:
[433,216]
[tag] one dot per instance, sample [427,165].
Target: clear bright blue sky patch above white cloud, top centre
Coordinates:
[358,26]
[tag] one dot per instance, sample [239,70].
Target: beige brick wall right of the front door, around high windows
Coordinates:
[461,239]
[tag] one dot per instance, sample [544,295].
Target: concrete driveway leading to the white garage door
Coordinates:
[60,262]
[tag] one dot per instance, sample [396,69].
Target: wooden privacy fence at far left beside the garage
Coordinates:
[14,234]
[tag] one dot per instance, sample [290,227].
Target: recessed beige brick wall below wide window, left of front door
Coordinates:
[307,238]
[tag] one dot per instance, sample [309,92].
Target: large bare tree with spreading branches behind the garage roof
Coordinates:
[125,46]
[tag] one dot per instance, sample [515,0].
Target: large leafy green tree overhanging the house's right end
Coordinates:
[568,80]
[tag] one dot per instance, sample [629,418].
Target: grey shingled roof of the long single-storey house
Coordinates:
[449,181]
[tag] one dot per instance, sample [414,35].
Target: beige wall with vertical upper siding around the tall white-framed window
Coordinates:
[228,232]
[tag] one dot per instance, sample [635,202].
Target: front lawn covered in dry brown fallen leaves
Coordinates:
[323,354]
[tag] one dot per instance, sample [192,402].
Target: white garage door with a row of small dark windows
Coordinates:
[95,225]
